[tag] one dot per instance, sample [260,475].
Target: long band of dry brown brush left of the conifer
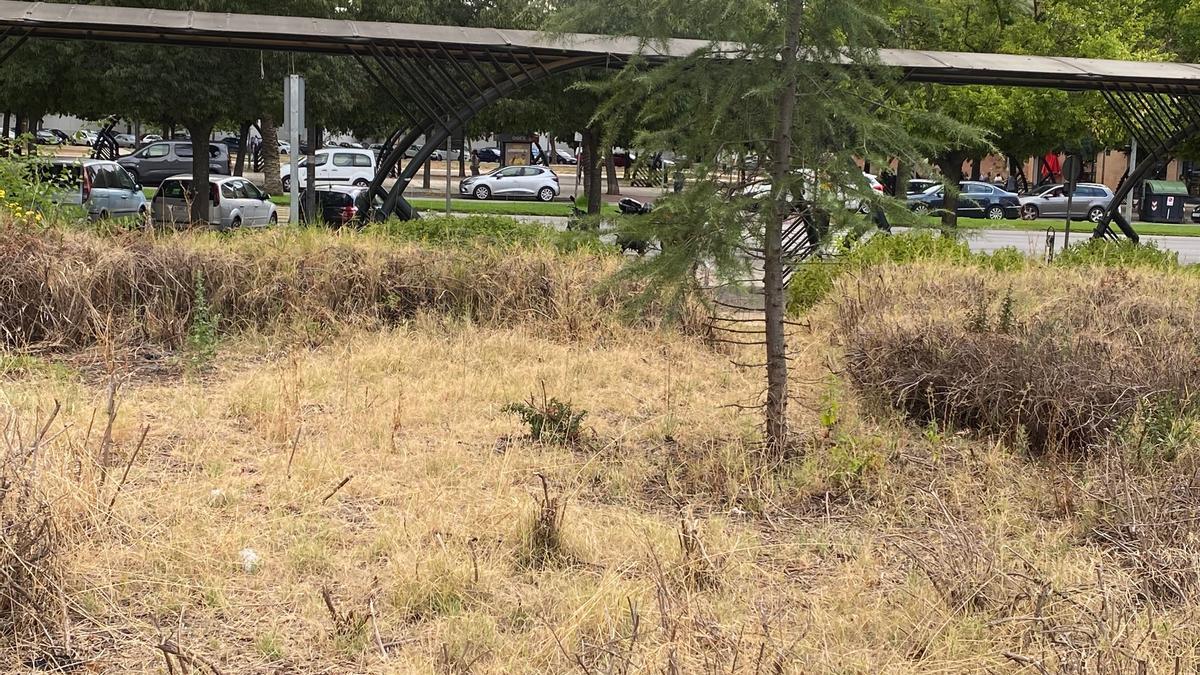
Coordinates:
[69,290]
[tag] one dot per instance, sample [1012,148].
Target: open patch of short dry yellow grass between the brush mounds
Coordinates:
[886,549]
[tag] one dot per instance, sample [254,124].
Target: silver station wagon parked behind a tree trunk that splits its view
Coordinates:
[233,202]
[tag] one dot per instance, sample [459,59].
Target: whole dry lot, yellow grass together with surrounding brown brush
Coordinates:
[347,495]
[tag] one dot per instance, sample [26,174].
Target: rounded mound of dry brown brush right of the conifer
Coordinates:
[1060,378]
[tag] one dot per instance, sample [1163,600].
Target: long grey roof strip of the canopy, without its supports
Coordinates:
[299,34]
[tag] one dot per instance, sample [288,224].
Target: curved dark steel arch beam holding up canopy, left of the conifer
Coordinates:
[439,132]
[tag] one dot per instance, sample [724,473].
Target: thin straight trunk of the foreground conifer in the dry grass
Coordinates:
[775,295]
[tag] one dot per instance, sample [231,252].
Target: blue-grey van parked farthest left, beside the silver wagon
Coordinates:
[103,188]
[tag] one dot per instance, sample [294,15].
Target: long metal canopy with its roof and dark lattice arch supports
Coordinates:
[447,75]
